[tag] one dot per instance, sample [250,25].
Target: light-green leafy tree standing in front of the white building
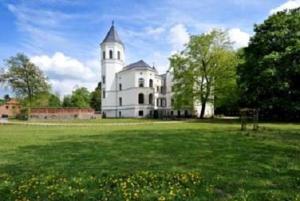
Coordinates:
[201,72]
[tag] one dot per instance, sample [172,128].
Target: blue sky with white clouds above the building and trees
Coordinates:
[62,37]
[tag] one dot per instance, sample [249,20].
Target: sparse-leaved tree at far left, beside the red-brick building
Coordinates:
[24,78]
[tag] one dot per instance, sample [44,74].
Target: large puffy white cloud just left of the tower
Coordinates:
[66,73]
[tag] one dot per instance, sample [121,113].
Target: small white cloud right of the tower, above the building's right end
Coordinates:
[178,37]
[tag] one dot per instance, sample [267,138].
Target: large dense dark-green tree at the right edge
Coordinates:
[269,78]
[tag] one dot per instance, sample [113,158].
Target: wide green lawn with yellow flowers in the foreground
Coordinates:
[149,161]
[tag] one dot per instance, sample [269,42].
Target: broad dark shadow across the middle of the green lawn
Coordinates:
[227,160]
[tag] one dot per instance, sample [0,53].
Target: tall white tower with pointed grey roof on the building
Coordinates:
[112,61]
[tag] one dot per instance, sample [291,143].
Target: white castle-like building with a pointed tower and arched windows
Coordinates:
[137,89]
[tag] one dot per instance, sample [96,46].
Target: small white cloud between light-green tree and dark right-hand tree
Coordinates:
[240,38]
